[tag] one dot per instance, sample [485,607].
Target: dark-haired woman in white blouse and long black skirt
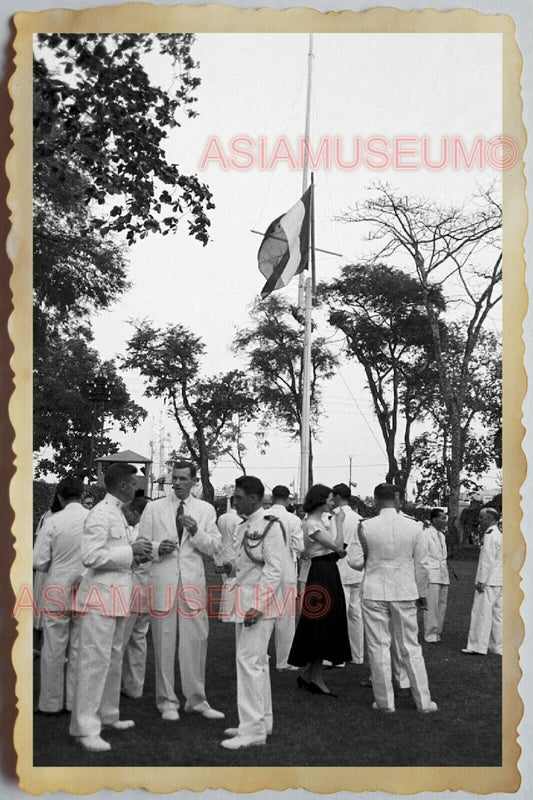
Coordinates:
[322,632]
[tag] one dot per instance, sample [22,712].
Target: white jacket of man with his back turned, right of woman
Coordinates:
[396,554]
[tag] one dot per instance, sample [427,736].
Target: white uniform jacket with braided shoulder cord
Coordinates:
[259,564]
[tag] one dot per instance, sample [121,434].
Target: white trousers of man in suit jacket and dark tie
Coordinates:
[192,652]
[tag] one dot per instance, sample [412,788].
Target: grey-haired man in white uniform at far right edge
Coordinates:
[485,633]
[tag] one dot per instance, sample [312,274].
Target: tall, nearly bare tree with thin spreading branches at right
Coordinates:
[459,251]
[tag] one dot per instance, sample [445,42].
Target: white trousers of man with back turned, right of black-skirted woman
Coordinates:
[384,620]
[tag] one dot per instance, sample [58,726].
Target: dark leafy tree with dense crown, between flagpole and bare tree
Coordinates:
[380,311]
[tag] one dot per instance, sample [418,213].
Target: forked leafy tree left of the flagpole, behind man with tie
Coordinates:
[204,408]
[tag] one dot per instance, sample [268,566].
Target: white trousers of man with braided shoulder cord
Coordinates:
[254,697]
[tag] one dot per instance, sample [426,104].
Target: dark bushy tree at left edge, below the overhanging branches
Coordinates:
[64,414]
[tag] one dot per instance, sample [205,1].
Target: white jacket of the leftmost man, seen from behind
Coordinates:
[57,550]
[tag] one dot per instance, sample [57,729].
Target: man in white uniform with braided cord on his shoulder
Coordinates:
[258,570]
